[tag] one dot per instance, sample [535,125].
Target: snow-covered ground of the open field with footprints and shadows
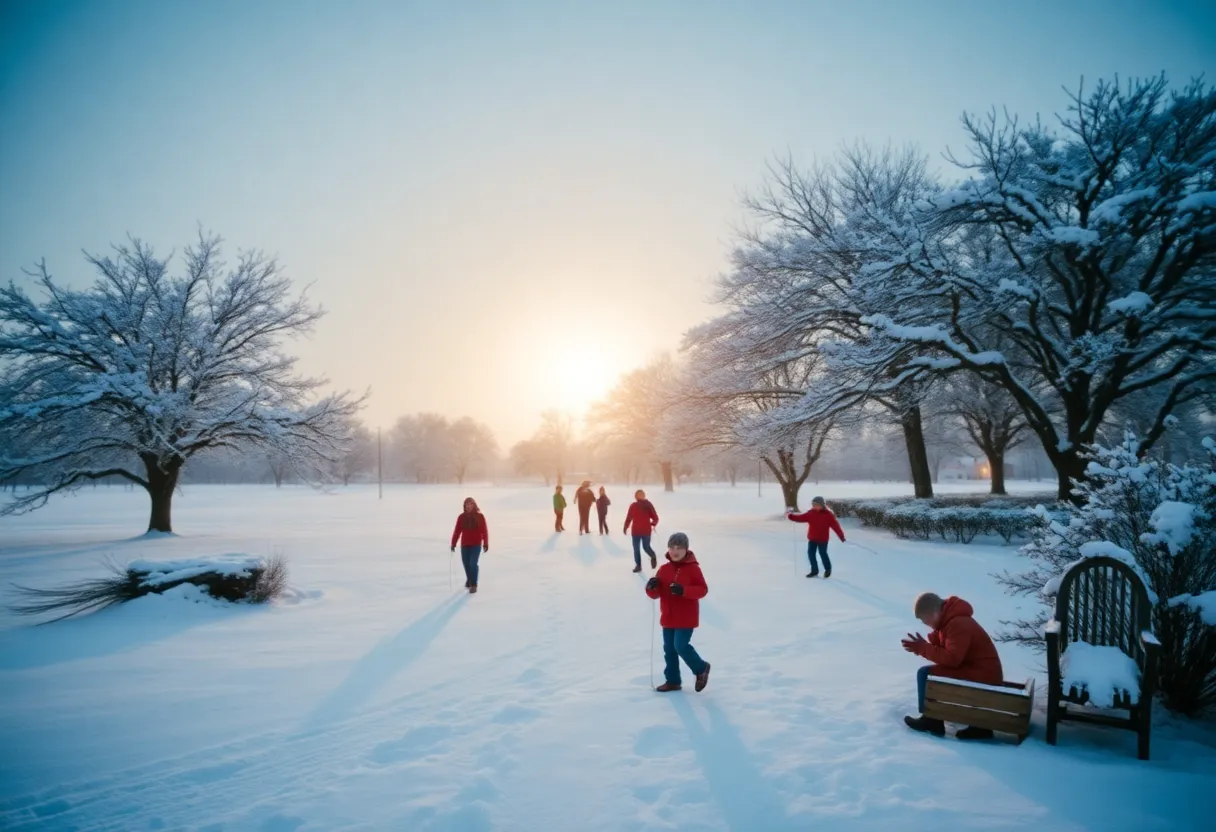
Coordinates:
[375,698]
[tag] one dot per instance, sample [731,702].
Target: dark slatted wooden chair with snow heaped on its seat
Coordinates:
[1104,603]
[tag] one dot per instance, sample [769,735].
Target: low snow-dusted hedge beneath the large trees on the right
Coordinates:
[960,519]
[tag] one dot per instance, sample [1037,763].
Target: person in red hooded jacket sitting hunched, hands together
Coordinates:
[959,649]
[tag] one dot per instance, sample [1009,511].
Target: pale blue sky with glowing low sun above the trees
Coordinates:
[503,206]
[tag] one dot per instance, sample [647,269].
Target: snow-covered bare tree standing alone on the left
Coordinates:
[138,374]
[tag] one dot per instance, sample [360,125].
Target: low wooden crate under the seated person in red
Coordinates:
[1005,709]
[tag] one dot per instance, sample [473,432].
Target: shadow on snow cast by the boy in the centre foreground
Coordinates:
[739,786]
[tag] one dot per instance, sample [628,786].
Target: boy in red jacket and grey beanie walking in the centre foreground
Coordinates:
[679,586]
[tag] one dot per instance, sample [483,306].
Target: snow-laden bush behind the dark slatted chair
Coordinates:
[1161,519]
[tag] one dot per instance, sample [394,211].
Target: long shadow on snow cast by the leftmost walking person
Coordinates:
[384,662]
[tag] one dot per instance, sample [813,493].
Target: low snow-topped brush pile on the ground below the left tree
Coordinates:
[235,578]
